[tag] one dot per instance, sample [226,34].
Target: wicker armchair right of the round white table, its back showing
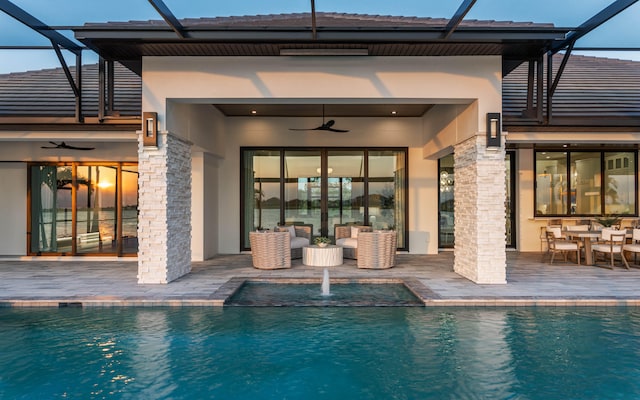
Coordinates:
[377,249]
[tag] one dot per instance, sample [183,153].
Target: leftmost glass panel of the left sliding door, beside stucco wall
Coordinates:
[51,209]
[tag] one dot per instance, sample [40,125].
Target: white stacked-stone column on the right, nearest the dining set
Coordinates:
[479,189]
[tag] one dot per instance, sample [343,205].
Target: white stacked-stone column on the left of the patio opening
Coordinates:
[164,203]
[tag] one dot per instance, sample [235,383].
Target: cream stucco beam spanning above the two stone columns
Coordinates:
[431,80]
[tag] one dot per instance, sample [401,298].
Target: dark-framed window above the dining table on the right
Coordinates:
[585,183]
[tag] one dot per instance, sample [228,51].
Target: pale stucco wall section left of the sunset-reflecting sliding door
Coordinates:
[13,212]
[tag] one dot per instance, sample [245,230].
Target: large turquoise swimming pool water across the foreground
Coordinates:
[320,353]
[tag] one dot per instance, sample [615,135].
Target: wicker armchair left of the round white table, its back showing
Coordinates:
[270,250]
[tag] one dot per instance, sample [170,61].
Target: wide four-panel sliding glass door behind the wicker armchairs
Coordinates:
[323,187]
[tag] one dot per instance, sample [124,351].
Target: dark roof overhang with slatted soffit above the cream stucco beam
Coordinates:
[129,42]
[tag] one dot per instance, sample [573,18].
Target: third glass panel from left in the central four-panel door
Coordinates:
[345,191]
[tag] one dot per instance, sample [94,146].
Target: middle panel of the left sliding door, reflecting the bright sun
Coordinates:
[96,208]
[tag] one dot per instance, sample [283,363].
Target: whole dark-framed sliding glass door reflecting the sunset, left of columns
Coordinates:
[83,209]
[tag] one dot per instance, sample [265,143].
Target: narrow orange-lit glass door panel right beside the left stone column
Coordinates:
[129,209]
